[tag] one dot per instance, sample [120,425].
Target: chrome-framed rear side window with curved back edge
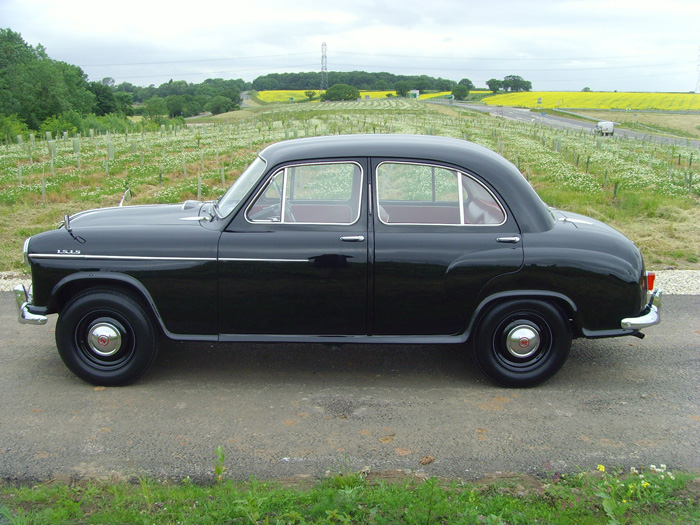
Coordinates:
[409,193]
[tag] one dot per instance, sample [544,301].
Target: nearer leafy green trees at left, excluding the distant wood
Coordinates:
[41,94]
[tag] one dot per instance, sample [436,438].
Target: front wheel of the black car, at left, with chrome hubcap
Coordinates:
[106,338]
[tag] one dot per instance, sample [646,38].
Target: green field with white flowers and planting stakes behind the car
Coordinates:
[647,190]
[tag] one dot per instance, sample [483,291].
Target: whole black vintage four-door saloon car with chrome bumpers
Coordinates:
[343,239]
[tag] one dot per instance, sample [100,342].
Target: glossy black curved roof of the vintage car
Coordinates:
[530,212]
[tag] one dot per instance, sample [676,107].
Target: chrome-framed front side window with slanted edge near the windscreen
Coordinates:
[321,193]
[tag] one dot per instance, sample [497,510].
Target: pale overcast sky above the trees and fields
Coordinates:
[607,45]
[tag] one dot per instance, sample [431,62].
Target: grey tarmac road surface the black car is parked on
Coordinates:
[285,411]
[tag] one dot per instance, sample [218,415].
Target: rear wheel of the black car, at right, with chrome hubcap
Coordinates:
[522,343]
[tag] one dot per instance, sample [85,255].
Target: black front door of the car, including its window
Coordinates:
[294,260]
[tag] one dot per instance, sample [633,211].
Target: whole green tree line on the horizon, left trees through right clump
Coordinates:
[42,94]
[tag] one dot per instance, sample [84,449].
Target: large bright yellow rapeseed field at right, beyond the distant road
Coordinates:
[597,100]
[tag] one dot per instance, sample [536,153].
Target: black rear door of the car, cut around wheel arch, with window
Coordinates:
[440,235]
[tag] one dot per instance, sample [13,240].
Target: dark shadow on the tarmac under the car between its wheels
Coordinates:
[241,362]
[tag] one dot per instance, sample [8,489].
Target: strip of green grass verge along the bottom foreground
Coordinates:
[646,496]
